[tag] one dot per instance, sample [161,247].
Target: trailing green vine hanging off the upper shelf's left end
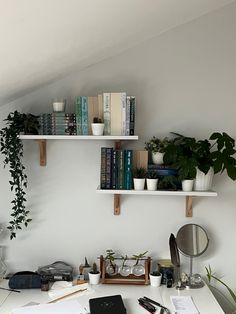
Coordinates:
[12,149]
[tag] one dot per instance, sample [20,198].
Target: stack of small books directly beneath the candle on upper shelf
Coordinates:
[63,123]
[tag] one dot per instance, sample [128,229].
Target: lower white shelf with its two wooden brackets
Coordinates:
[188,197]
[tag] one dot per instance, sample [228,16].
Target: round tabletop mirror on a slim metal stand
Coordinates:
[192,241]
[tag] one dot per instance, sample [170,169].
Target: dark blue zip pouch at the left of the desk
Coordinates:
[25,280]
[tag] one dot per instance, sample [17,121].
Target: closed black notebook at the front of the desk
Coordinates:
[107,305]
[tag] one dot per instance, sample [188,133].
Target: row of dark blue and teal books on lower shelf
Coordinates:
[116,169]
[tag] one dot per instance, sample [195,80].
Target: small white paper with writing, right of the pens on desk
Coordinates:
[183,305]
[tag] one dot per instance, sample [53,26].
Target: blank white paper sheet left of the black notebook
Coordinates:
[62,307]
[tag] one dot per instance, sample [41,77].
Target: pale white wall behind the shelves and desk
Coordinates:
[184,81]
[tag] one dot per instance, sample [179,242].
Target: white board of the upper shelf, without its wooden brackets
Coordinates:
[79,137]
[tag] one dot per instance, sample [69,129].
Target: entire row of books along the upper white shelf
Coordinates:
[116,110]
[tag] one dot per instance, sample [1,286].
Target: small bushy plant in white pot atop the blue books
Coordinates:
[157,149]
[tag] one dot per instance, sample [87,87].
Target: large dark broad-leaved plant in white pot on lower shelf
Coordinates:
[188,155]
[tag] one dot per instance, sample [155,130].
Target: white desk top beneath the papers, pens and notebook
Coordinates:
[203,298]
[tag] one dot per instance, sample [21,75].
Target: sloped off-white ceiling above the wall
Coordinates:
[44,40]
